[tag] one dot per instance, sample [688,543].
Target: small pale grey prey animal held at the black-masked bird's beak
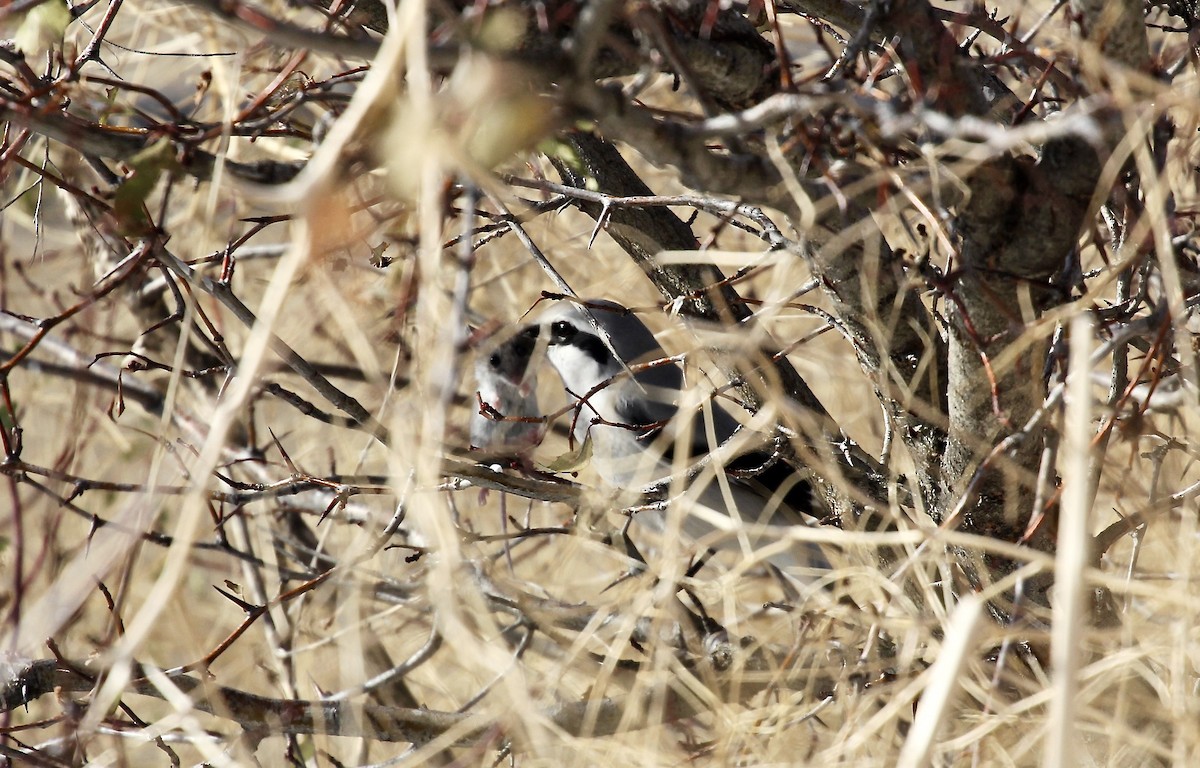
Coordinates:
[507,419]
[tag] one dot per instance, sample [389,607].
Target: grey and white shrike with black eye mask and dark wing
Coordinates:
[627,398]
